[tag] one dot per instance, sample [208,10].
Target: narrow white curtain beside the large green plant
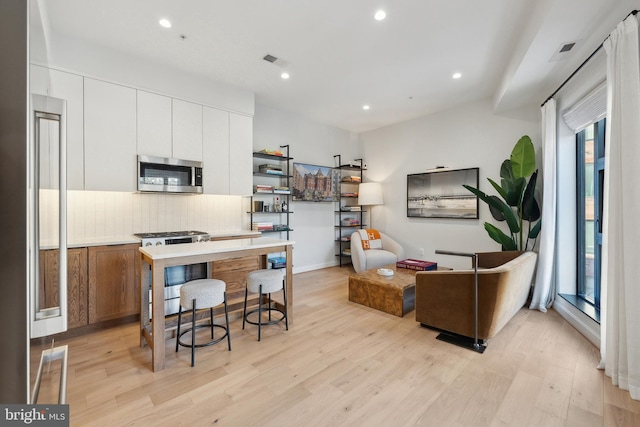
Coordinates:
[544,289]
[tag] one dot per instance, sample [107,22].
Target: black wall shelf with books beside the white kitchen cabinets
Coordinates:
[270,207]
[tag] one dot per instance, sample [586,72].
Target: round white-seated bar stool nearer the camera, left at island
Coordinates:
[198,295]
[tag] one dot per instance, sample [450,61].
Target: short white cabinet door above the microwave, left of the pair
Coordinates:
[154,124]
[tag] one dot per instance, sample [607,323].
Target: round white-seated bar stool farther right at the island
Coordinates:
[265,282]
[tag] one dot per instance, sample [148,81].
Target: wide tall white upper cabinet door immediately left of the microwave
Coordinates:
[110,136]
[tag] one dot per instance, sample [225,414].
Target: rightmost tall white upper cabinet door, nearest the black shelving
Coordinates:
[240,154]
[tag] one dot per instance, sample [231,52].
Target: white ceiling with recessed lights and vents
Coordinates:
[340,58]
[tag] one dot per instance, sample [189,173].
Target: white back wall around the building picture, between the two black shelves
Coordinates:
[312,143]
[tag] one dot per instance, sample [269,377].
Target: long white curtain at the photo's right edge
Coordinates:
[620,299]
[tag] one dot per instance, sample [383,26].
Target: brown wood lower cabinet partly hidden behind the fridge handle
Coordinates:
[76,283]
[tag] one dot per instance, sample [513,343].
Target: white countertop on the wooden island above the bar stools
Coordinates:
[193,249]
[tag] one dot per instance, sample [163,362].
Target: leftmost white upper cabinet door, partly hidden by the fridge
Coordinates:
[67,86]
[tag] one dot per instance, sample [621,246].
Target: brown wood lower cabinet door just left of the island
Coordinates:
[114,282]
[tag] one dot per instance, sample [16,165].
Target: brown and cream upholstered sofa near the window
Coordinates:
[445,299]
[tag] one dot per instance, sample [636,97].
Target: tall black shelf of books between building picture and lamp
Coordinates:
[348,214]
